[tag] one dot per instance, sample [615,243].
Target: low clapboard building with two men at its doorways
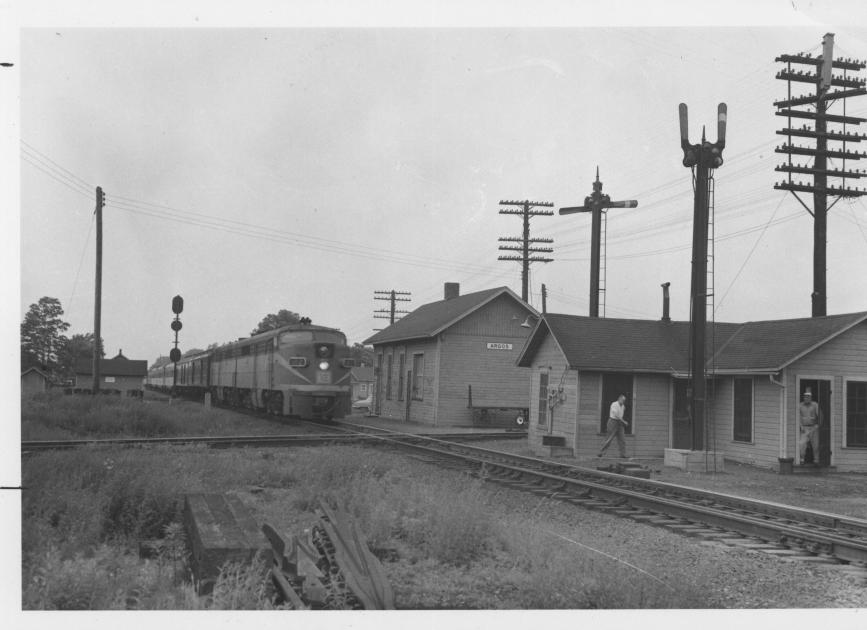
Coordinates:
[757,374]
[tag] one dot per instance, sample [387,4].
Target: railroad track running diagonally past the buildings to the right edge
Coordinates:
[781,530]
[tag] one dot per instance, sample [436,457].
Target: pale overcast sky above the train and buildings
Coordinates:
[255,169]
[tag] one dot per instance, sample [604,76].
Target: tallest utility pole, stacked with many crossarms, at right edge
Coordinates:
[823,79]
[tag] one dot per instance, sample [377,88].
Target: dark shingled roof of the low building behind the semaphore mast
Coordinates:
[629,345]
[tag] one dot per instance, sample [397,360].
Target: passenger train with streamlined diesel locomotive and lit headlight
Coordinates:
[297,370]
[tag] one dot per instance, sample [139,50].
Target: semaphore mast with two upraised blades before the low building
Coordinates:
[701,158]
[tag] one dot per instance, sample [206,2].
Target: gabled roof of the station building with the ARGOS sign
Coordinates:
[431,319]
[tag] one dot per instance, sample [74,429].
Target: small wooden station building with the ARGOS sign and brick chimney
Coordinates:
[426,363]
